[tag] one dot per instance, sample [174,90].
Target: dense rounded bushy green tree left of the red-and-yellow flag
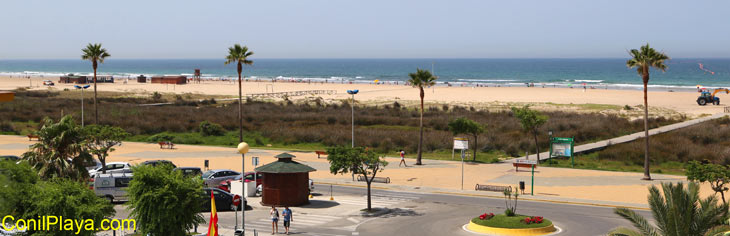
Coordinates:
[164,202]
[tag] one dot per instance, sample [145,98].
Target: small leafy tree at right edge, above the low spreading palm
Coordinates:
[717,175]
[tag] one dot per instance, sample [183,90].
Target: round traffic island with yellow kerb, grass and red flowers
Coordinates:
[518,225]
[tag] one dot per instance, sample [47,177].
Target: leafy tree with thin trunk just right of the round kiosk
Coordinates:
[357,160]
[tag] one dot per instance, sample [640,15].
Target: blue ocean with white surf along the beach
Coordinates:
[681,74]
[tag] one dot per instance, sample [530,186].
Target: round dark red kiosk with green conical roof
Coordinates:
[285,182]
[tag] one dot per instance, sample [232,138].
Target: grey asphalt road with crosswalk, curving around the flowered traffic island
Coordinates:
[417,214]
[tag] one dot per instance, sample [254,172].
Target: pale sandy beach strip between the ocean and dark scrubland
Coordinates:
[682,102]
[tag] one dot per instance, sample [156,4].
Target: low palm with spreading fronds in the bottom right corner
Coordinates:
[680,212]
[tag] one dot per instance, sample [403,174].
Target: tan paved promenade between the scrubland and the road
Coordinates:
[555,184]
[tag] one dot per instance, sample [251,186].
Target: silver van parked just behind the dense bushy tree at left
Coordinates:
[112,186]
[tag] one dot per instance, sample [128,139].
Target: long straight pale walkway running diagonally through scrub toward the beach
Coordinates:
[627,138]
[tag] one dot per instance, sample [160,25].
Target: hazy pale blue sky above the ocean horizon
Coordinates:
[38,29]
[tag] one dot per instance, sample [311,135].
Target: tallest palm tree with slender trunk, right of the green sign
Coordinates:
[643,59]
